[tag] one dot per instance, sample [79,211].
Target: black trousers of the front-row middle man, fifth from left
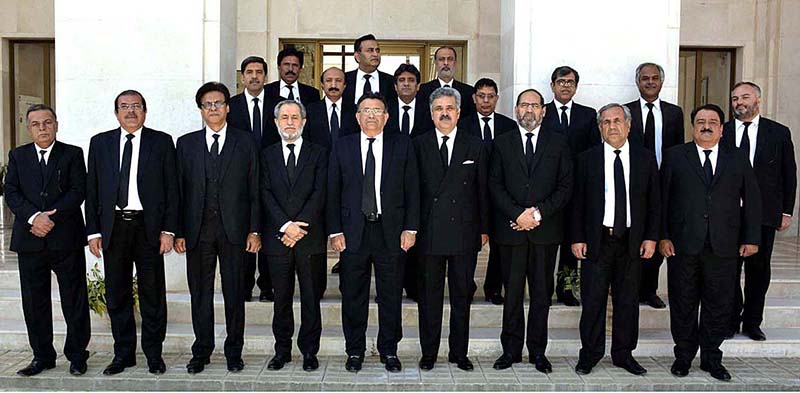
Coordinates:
[354,284]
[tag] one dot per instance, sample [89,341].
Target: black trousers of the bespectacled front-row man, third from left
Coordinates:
[201,264]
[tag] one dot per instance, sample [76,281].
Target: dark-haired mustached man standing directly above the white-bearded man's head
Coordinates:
[290,64]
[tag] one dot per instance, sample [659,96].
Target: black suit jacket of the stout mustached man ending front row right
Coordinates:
[689,211]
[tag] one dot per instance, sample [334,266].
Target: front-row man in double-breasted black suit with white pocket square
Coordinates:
[454,226]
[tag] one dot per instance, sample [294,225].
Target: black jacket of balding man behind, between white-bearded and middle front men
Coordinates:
[318,126]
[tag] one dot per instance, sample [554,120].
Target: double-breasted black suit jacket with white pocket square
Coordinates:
[454,200]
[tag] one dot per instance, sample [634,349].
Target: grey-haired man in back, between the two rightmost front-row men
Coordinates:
[658,130]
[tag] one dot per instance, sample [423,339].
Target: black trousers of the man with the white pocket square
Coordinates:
[460,273]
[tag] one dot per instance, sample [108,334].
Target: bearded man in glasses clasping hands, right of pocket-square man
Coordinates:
[530,181]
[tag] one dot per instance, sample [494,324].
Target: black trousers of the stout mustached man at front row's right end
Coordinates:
[707,281]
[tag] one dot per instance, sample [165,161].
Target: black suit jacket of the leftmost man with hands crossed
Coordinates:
[64,190]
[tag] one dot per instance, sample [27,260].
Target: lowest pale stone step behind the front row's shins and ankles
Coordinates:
[484,342]
